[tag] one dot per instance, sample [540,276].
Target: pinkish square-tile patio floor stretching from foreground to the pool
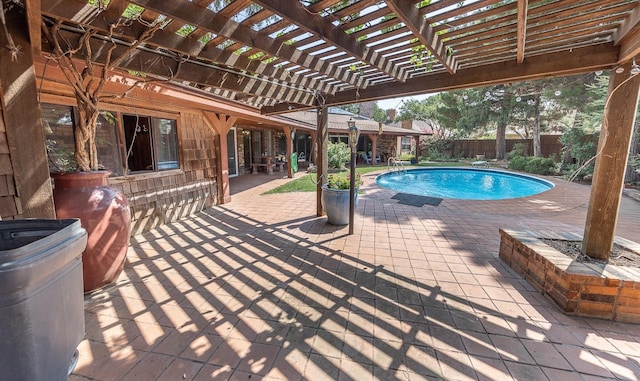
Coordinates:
[262,289]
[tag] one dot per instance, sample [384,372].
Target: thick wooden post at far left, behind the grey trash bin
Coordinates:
[23,121]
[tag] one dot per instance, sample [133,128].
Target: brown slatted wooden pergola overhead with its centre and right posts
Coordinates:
[276,56]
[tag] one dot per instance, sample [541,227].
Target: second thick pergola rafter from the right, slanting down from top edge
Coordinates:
[408,13]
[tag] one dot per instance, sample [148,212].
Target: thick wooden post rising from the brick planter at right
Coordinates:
[611,164]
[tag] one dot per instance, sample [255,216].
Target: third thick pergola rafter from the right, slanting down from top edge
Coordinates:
[320,27]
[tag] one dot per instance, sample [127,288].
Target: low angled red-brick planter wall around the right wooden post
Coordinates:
[582,289]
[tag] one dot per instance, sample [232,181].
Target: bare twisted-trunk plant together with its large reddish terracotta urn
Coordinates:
[84,193]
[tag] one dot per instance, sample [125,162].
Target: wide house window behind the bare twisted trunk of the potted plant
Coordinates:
[151,144]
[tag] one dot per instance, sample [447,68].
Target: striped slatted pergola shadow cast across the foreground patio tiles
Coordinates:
[223,295]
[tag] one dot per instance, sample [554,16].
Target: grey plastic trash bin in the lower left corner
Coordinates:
[41,298]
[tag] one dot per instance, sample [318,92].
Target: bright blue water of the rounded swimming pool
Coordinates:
[463,183]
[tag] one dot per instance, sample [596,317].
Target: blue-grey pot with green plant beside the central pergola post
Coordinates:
[335,197]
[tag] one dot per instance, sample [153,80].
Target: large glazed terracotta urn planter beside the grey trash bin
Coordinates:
[104,213]
